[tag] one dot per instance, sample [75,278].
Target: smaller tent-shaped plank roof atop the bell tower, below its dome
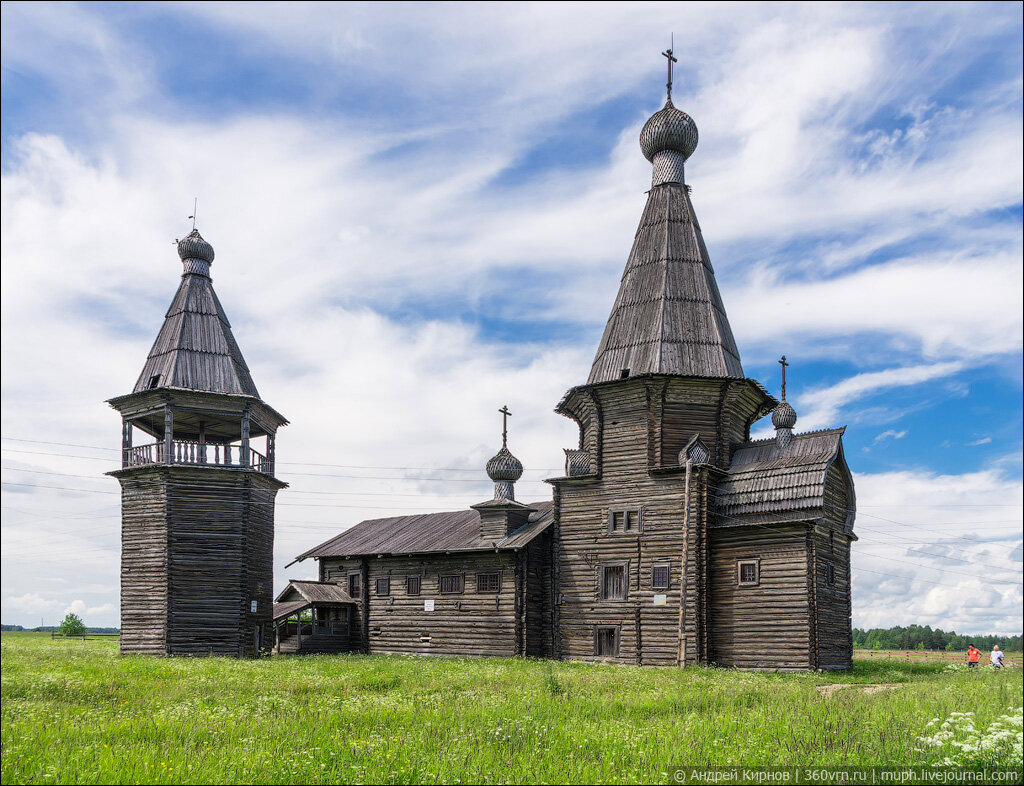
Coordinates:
[195,348]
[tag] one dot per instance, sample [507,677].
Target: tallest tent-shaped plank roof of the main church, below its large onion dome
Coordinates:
[668,317]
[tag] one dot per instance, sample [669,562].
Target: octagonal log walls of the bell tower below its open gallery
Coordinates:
[215,538]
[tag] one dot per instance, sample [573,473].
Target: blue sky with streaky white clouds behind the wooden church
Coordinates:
[445,197]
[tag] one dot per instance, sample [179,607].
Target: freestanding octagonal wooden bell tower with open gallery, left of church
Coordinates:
[198,486]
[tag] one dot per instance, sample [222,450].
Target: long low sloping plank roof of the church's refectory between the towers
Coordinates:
[454,532]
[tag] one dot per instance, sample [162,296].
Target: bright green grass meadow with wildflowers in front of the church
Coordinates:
[75,712]
